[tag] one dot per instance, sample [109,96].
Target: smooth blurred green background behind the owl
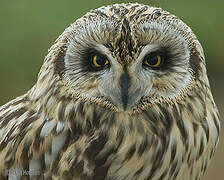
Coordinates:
[28,28]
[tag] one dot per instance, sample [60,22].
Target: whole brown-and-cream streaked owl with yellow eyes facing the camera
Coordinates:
[122,95]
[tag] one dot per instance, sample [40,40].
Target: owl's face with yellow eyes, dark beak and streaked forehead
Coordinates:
[122,56]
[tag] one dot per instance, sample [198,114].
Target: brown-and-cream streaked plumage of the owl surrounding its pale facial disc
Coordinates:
[57,132]
